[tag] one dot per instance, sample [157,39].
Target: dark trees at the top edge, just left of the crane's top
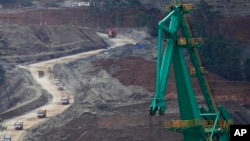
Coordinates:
[117,10]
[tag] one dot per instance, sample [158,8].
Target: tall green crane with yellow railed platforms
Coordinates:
[209,123]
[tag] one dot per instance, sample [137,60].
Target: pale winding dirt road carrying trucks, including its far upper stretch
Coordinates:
[53,107]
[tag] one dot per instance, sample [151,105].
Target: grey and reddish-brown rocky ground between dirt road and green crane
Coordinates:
[110,106]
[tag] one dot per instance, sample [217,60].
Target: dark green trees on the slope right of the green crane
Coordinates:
[219,54]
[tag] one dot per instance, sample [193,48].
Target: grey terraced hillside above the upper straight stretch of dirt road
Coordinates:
[34,43]
